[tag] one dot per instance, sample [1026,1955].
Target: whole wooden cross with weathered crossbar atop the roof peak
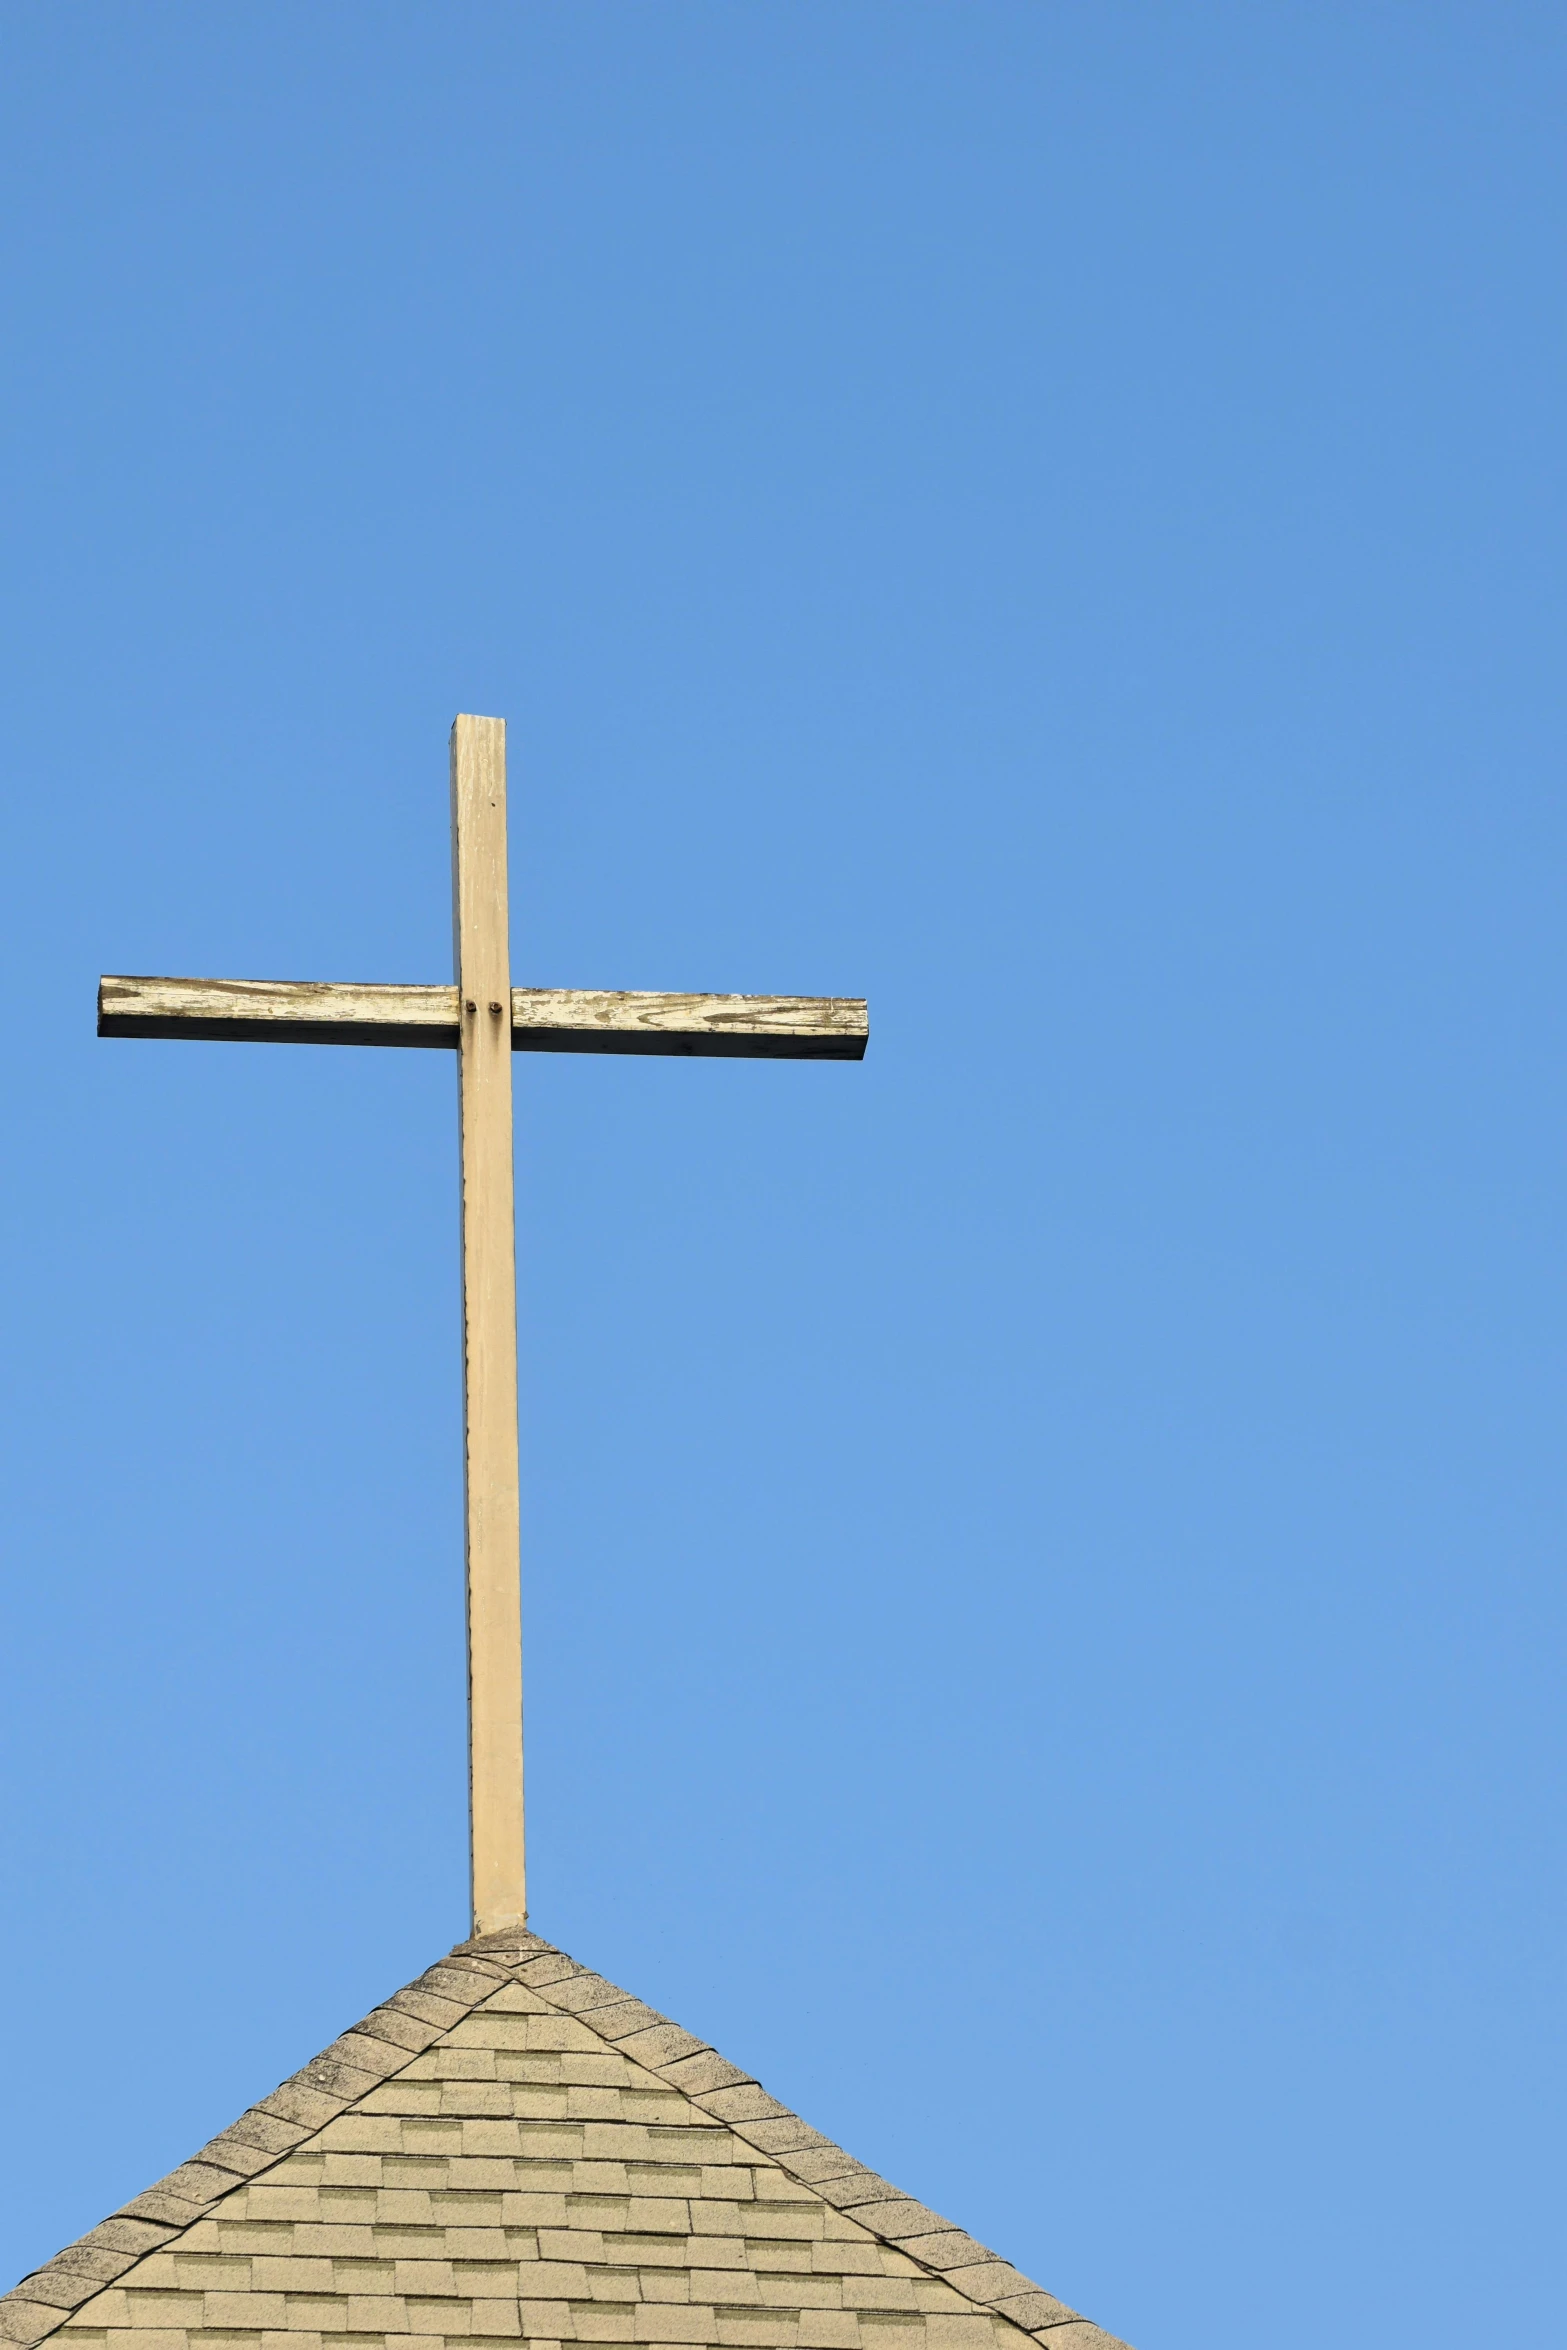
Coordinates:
[485,1019]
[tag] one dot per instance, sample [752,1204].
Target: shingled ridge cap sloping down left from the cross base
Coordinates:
[300,2109]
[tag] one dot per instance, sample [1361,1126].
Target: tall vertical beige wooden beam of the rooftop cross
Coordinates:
[490,1324]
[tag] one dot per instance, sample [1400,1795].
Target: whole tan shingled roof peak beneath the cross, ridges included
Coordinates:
[516,2151]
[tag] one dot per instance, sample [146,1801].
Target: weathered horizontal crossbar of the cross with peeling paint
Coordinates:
[544,1019]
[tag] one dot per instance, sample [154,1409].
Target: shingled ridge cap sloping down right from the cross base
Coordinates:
[739,2100]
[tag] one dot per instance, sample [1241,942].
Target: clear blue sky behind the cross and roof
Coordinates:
[1042,1555]
